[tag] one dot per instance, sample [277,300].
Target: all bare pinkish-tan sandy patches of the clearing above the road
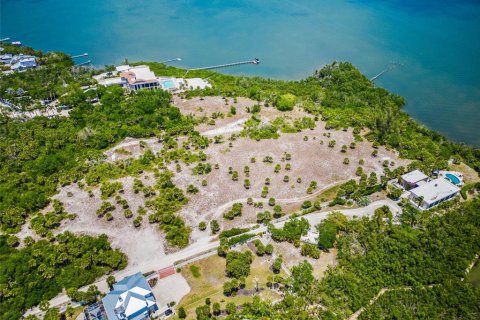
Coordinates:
[311,161]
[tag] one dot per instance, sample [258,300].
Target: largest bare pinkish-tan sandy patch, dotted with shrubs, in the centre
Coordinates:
[311,161]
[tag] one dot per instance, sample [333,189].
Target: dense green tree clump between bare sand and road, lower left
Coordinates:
[39,271]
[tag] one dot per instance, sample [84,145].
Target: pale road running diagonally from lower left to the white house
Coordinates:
[210,242]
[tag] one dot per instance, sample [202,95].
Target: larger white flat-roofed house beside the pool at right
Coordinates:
[433,193]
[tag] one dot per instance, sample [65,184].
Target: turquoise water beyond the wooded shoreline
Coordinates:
[437,42]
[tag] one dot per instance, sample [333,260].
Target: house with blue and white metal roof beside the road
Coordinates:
[130,299]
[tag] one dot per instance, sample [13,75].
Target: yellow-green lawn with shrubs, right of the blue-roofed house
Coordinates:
[206,278]
